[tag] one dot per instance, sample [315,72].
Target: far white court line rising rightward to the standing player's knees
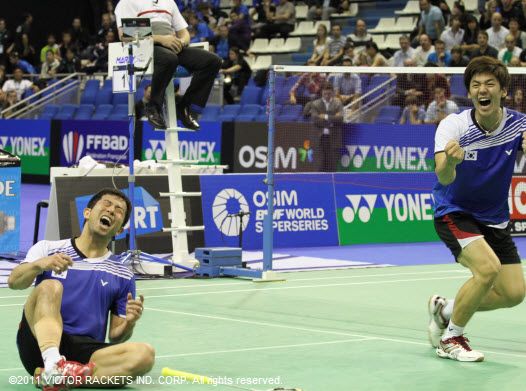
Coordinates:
[259,289]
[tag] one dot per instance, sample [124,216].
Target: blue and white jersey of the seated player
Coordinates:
[92,287]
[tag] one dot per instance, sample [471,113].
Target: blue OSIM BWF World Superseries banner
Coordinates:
[304,210]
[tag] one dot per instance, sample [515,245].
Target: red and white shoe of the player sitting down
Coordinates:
[66,375]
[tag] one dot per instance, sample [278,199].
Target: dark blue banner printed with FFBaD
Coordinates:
[102,140]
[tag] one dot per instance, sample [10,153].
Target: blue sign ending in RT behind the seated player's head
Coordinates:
[148,217]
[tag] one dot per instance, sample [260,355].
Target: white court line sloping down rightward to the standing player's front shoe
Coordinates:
[320,331]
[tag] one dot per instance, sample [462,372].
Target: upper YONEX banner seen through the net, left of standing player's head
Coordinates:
[392,148]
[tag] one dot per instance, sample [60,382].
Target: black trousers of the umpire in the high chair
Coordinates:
[201,64]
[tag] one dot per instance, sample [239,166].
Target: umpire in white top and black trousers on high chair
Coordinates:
[171,40]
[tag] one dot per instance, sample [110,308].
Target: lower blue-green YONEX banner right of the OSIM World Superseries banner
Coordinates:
[385,207]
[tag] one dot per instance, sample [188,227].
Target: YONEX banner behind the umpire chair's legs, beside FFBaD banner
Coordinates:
[203,145]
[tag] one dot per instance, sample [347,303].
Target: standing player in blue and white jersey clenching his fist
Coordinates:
[475,153]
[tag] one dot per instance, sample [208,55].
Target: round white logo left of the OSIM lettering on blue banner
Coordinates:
[227,203]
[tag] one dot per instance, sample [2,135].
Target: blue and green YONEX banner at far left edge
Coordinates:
[29,140]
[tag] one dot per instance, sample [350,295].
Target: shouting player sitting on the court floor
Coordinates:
[78,283]
